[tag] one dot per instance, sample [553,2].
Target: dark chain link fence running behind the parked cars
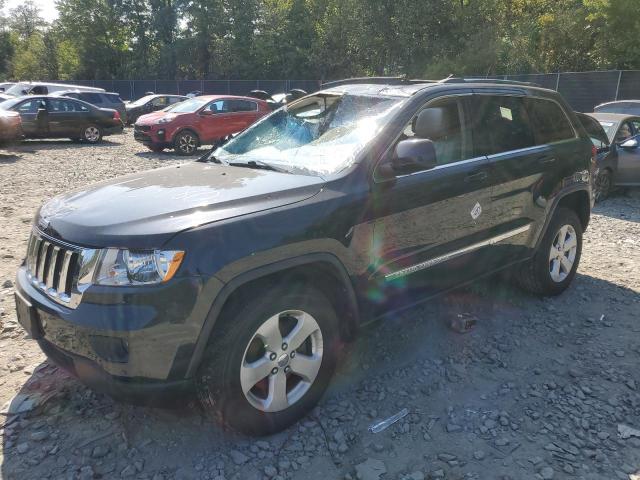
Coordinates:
[583,90]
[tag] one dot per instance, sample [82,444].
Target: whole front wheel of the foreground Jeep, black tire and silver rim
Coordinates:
[270,359]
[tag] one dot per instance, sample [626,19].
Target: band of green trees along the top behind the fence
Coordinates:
[250,39]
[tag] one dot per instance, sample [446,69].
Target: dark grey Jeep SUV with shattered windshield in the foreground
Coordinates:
[244,273]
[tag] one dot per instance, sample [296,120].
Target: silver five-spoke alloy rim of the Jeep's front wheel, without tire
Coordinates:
[281,361]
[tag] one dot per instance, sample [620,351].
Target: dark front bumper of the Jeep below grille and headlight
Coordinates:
[118,342]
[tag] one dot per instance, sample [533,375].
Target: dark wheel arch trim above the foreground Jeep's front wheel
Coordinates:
[323,270]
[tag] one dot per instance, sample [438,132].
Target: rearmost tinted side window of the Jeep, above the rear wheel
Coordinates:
[549,121]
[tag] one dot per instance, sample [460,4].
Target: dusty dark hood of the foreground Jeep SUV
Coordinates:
[146,209]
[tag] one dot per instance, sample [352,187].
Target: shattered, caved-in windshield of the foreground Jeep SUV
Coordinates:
[321,135]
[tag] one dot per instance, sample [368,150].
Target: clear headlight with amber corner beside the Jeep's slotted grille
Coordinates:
[137,267]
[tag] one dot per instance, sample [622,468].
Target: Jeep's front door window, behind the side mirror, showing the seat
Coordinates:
[451,142]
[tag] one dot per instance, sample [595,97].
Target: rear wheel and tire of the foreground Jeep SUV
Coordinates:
[551,270]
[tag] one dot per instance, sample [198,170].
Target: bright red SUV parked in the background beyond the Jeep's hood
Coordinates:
[198,121]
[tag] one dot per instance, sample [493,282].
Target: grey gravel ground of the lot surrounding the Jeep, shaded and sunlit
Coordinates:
[538,389]
